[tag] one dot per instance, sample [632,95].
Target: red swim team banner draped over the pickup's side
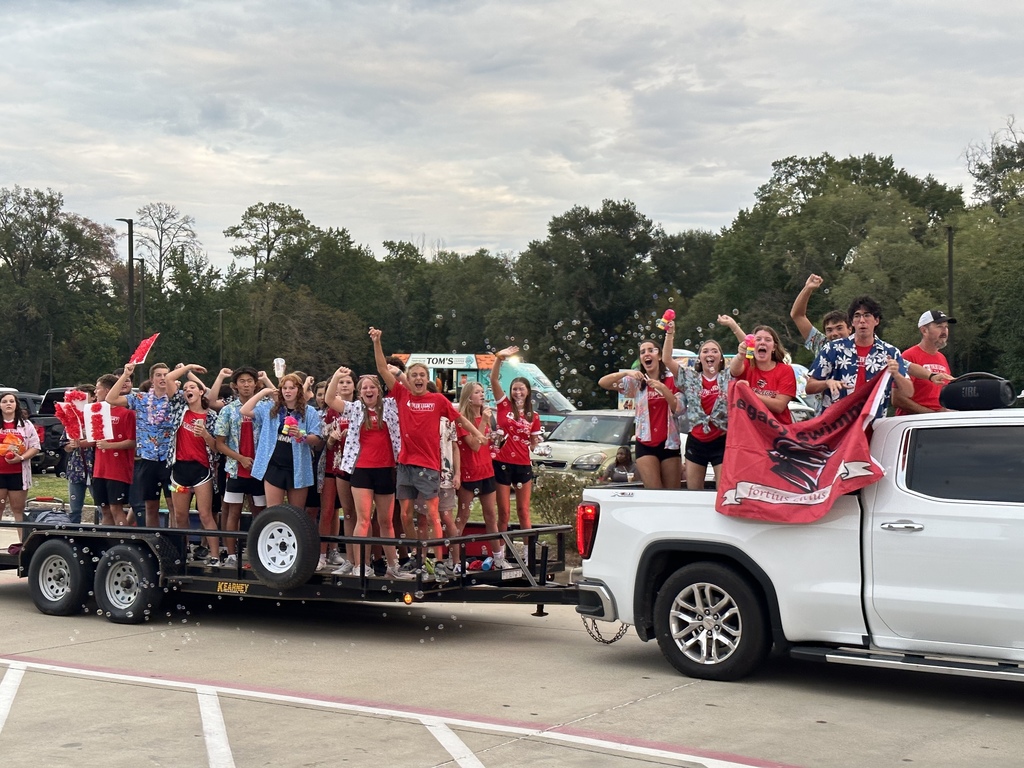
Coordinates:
[795,473]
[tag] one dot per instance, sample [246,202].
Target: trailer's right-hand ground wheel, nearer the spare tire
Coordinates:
[127,584]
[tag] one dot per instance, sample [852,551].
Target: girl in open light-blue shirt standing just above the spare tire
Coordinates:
[284,461]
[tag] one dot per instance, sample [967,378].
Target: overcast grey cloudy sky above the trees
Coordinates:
[472,124]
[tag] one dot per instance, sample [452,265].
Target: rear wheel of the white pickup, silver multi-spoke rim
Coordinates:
[710,624]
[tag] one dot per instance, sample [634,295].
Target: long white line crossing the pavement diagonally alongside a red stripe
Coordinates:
[481,726]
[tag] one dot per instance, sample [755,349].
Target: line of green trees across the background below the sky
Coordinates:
[578,302]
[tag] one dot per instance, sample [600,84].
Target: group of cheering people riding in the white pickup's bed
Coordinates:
[848,356]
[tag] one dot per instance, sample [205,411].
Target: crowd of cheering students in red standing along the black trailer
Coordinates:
[346,450]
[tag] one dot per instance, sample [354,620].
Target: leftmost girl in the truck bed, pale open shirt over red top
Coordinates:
[653,389]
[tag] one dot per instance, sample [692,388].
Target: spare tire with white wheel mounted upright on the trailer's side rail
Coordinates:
[283,546]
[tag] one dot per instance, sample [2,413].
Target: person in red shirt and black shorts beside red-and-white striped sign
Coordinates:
[114,467]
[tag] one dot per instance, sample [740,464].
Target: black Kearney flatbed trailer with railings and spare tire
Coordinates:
[127,572]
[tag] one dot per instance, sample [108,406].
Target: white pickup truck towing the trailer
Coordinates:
[923,570]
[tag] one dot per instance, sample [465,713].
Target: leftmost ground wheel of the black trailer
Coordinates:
[60,578]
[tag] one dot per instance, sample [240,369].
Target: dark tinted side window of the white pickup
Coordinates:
[984,464]
